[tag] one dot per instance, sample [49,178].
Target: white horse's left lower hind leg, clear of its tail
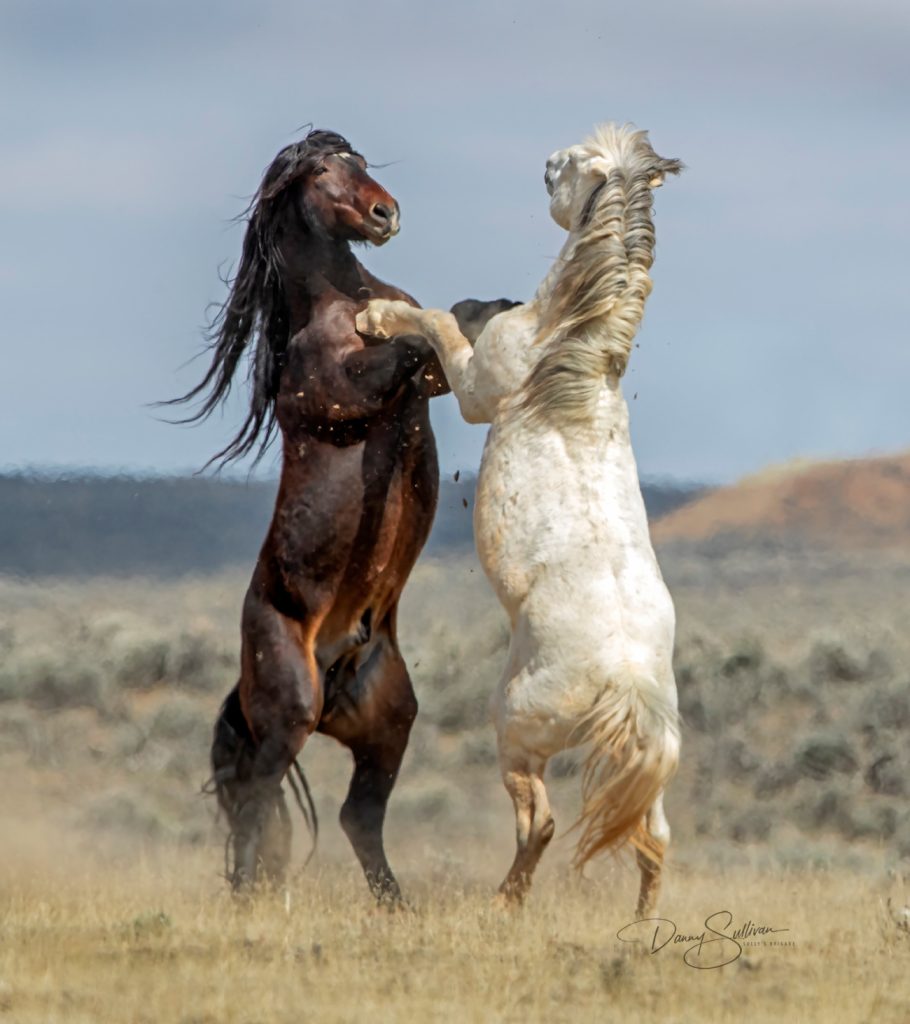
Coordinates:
[535,825]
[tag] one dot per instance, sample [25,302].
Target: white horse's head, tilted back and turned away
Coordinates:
[574,176]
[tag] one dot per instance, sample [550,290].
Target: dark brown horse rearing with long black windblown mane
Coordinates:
[356,503]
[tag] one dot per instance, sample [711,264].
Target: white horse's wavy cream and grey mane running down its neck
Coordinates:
[596,305]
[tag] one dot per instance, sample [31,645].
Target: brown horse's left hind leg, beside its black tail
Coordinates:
[264,726]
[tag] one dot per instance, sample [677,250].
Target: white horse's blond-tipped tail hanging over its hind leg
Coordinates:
[635,738]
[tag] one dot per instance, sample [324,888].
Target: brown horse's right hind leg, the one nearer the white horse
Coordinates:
[372,716]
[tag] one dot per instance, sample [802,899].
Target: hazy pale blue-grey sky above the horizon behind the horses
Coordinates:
[132,134]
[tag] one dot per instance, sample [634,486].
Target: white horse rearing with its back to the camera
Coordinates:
[559,521]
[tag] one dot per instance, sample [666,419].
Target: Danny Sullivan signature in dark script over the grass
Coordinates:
[718,945]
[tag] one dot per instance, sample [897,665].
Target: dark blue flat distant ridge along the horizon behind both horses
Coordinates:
[168,527]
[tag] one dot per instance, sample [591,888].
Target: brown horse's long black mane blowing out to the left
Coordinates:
[256,310]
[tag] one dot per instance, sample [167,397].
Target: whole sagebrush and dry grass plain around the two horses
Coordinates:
[794,681]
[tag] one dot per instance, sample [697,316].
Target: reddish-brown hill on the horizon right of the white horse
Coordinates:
[851,504]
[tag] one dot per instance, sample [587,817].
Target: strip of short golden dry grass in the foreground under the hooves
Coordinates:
[165,943]
